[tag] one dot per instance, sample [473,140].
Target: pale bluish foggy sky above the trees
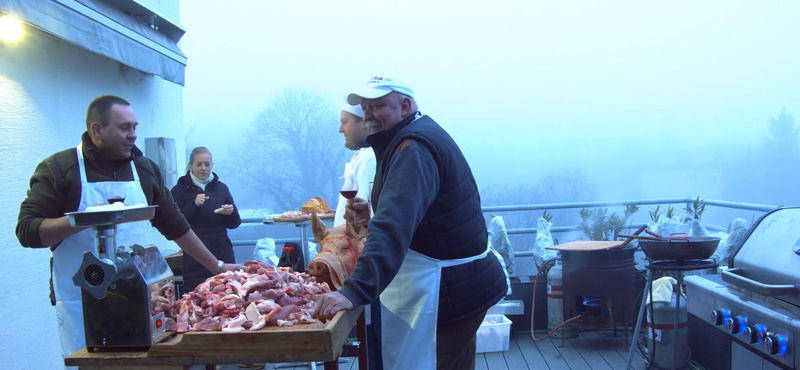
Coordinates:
[525,87]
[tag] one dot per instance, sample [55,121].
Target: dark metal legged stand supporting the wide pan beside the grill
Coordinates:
[665,265]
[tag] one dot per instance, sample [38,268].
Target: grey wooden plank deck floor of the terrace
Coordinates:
[592,350]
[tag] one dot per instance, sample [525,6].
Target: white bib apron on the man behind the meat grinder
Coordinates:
[68,256]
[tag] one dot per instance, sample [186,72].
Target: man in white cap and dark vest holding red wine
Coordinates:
[427,254]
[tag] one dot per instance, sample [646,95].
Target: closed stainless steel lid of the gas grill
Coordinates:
[767,260]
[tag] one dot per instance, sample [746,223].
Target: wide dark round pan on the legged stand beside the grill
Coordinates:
[680,248]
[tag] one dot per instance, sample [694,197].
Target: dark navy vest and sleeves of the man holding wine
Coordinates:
[426,199]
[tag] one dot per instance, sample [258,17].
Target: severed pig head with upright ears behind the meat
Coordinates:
[339,249]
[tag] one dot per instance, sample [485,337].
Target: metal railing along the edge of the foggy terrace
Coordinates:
[573,205]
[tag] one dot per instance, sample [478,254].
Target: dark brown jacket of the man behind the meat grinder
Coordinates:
[55,189]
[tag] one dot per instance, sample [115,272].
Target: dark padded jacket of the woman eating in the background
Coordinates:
[210,227]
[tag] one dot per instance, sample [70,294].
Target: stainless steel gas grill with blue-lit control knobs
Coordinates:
[751,310]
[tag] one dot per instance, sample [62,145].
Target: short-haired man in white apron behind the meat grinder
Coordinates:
[105,165]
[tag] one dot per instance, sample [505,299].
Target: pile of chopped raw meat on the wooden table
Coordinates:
[258,296]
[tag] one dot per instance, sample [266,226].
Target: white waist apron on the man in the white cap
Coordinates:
[410,310]
